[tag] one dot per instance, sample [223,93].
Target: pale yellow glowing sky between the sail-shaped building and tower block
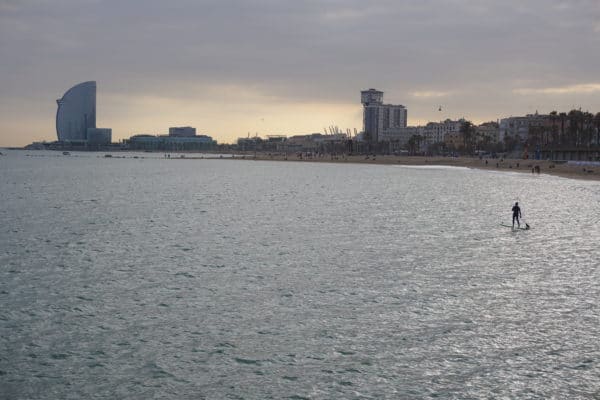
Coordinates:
[224,114]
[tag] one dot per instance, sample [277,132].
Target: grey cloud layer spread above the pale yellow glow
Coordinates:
[301,51]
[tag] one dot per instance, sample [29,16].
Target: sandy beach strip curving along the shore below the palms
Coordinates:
[563,169]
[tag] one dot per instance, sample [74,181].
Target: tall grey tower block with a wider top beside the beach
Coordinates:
[380,120]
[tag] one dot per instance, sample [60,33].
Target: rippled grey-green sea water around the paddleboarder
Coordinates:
[219,279]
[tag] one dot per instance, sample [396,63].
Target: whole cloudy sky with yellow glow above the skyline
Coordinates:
[233,68]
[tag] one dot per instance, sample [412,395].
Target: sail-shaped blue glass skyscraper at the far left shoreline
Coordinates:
[76,112]
